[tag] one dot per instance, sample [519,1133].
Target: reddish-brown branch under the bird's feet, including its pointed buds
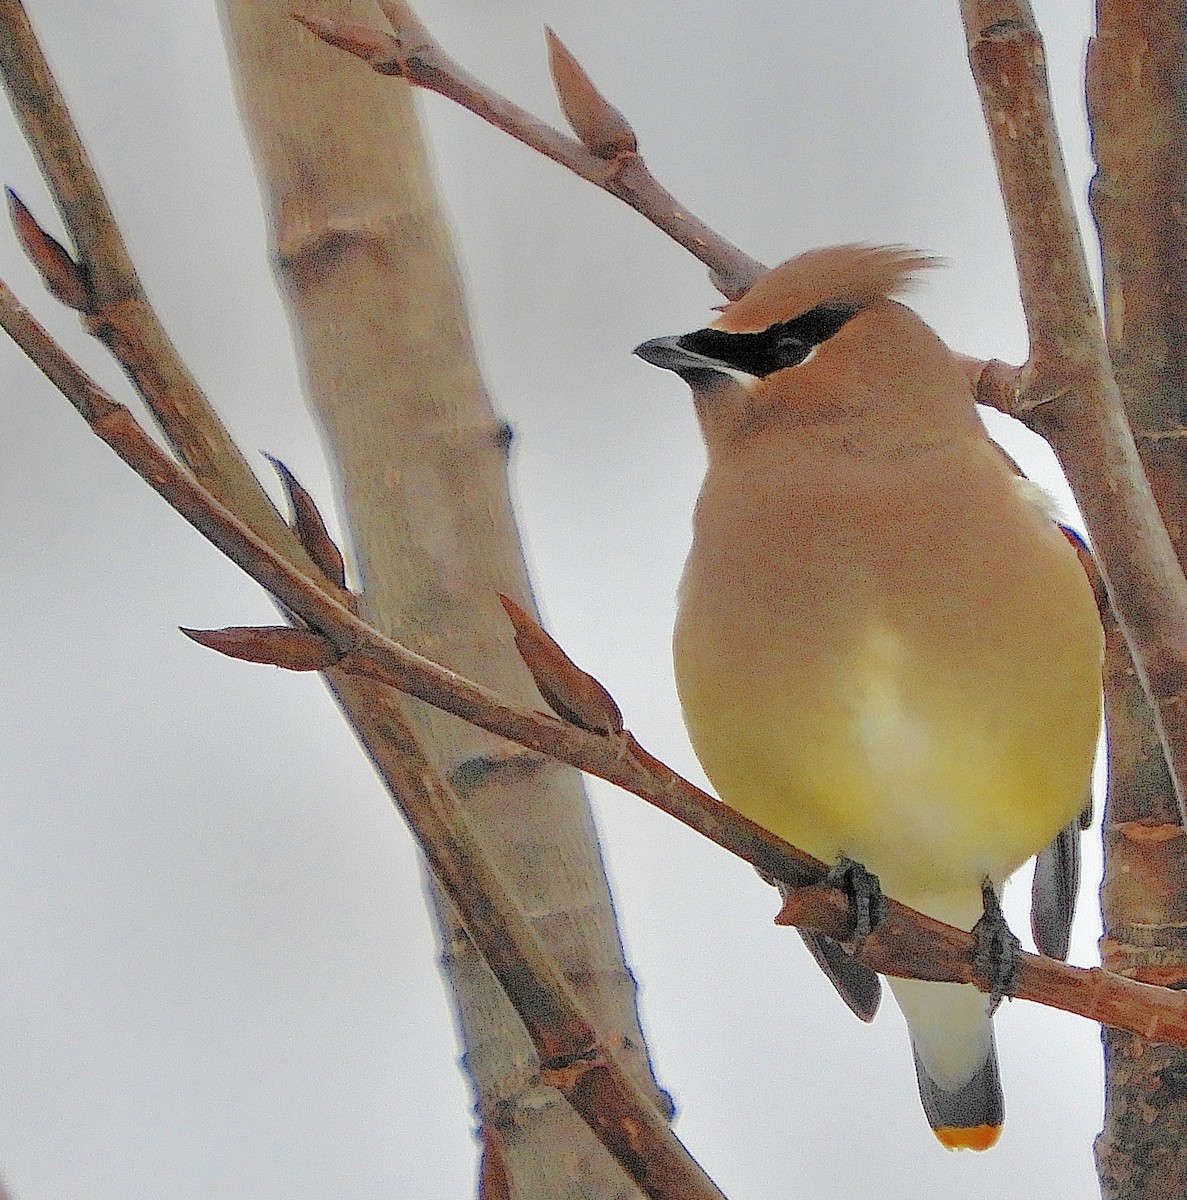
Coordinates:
[592,739]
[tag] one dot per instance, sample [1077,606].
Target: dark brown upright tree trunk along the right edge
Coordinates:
[1137,85]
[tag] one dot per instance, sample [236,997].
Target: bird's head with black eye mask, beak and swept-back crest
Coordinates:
[816,338]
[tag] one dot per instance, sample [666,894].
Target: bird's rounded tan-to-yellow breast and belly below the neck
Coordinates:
[903,677]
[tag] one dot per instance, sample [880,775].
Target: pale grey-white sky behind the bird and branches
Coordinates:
[217,974]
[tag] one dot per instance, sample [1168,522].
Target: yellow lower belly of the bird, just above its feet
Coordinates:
[933,770]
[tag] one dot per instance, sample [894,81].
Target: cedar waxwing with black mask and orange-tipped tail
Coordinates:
[885,650]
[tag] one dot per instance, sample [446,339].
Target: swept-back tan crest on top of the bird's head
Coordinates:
[840,275]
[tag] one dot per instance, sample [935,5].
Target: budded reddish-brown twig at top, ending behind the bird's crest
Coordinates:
[614,166]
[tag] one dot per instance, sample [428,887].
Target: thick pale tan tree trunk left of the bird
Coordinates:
[379,319]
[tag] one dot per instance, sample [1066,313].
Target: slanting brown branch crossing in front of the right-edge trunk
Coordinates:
[1068,385]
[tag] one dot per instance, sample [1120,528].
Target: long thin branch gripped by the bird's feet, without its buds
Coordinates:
[907,944]
